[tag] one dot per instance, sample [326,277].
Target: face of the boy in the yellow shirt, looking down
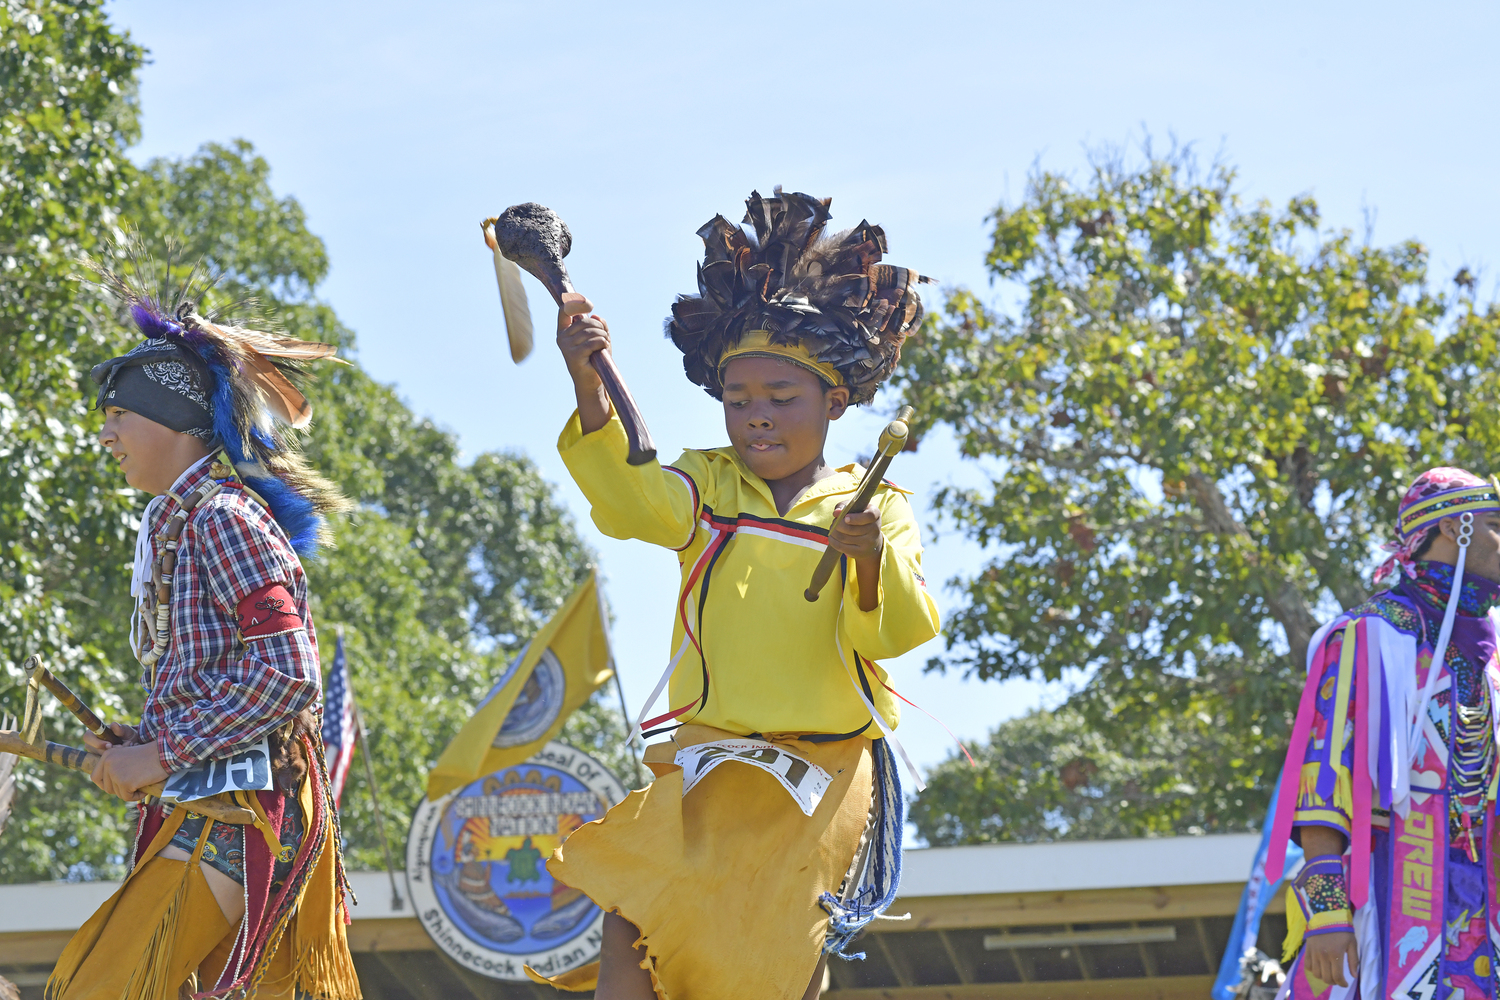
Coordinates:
[778,415]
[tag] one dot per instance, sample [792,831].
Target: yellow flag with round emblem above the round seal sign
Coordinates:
[556,674]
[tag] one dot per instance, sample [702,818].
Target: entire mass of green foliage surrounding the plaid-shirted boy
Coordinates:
[442,575]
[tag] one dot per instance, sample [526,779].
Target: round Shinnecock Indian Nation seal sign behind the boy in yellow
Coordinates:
[476,866]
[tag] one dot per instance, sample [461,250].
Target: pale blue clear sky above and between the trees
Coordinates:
[400,127]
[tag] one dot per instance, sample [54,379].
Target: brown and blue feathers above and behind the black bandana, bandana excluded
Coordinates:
[250,389]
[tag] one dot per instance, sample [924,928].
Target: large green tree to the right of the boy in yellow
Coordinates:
[1202,415]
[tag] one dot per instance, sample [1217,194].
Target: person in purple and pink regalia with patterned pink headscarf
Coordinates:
[1390,785]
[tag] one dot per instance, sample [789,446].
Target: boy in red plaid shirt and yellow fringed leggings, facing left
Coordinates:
[229,657]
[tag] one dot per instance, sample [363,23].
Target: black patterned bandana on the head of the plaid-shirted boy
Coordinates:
[161,383]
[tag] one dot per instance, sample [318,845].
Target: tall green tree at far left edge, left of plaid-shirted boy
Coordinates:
[67,116]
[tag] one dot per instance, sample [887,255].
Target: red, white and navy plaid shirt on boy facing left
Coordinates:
[215,693]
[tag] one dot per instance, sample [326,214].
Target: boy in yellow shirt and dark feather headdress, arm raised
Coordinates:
[721,884]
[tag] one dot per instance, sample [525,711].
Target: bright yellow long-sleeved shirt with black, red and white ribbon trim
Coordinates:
[754,656]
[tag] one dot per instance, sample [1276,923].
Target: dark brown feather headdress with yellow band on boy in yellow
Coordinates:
[790,292]
